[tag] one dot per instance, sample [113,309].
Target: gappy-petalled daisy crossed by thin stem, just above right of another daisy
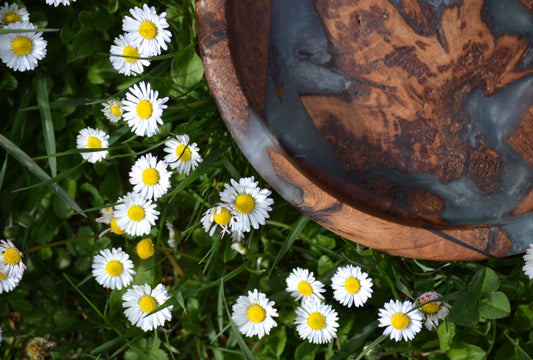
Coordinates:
[182,156]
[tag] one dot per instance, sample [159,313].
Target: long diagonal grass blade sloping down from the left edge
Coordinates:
[32,166]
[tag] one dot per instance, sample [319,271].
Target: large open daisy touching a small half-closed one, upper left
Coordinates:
[143,109]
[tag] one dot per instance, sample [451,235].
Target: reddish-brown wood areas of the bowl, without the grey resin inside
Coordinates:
[412,66]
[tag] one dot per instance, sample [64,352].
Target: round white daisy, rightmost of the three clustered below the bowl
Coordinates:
[351,286]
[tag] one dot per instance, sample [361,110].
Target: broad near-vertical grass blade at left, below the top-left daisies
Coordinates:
[41,88]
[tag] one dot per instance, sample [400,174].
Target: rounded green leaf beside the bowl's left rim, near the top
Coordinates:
[187,69]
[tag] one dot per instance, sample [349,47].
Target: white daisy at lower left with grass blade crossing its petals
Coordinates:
[141,300]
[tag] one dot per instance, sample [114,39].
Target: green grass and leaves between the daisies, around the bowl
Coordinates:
[50,198]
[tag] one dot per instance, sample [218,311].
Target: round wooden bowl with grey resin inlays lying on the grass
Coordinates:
[405,126]
